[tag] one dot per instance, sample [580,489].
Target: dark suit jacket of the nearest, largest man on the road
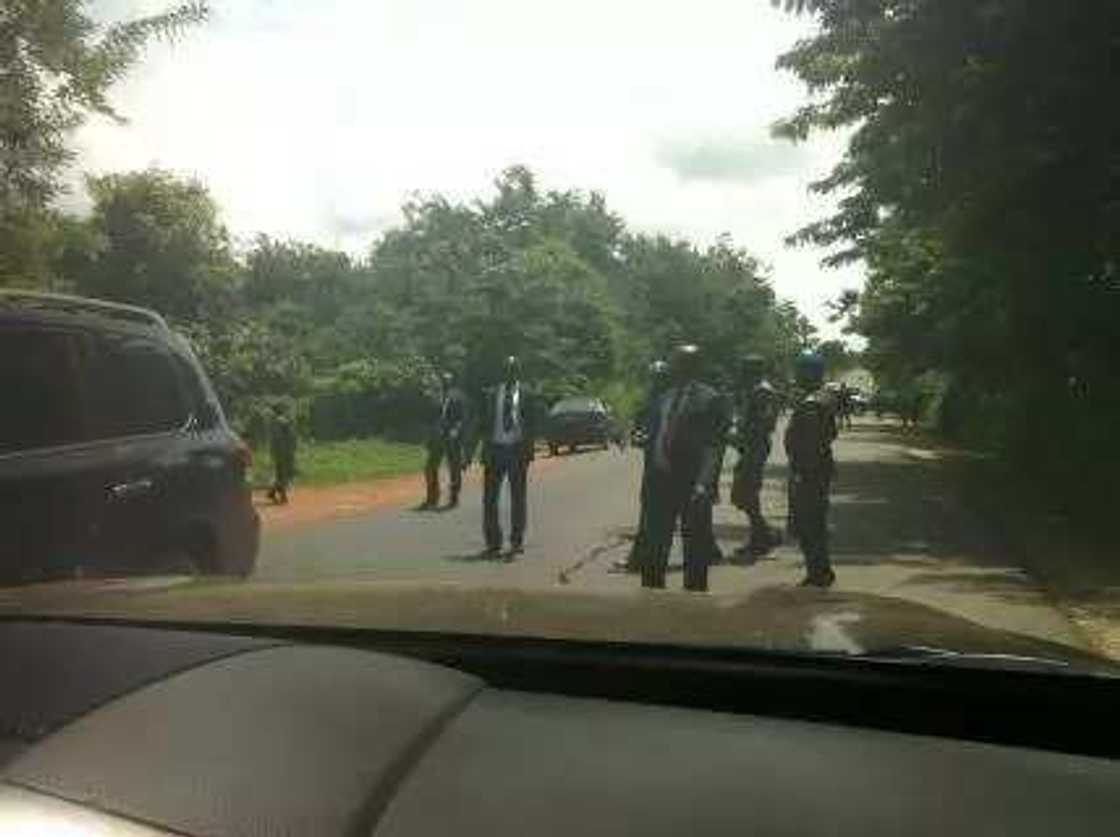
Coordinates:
[702,422]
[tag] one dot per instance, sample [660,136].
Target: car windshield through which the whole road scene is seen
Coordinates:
[290,293]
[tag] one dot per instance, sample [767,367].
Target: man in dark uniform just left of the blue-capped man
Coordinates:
[757,417]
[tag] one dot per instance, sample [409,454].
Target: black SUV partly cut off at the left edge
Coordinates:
[115,455]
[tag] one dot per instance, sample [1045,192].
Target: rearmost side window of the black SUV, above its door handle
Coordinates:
[135,390]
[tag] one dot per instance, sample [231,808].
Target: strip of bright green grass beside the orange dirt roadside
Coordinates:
[325,463]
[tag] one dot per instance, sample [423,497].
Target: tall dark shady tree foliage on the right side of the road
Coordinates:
[981,188]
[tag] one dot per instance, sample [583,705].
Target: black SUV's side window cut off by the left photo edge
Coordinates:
[42,373]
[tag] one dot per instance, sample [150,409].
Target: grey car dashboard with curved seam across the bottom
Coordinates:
[124,730]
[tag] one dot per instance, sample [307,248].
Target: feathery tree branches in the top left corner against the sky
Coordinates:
[59,68]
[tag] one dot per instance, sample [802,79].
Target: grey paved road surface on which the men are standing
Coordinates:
[898,533]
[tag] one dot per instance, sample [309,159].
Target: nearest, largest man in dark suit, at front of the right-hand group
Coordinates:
[687,433]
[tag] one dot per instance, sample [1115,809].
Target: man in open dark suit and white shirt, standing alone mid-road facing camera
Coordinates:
[508,421]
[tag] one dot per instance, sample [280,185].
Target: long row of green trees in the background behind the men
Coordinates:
[352,348]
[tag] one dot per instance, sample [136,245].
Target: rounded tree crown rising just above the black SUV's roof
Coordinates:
[160,244]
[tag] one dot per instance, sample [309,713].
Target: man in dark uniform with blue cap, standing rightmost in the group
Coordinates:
[809,448]
